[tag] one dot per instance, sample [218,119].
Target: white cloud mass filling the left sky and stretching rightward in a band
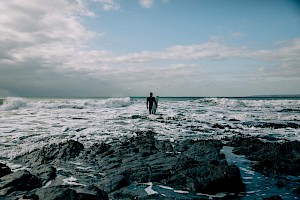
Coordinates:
[43,43]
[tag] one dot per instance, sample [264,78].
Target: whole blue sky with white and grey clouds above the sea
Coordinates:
[118,48]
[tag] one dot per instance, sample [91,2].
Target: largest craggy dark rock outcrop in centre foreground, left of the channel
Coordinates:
[143,159]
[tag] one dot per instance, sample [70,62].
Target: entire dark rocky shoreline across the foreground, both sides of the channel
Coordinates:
[143,167]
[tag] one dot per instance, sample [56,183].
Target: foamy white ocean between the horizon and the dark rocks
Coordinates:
[30,123]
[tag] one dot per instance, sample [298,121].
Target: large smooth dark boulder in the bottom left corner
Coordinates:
[18,181]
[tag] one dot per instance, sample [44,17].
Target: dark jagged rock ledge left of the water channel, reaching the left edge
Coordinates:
[70,171]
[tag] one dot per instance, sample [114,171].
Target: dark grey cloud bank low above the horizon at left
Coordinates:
[34,80]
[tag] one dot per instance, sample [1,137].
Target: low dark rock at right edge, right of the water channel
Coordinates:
[271,157]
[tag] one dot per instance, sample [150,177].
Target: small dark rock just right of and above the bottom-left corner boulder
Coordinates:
[45,173]
